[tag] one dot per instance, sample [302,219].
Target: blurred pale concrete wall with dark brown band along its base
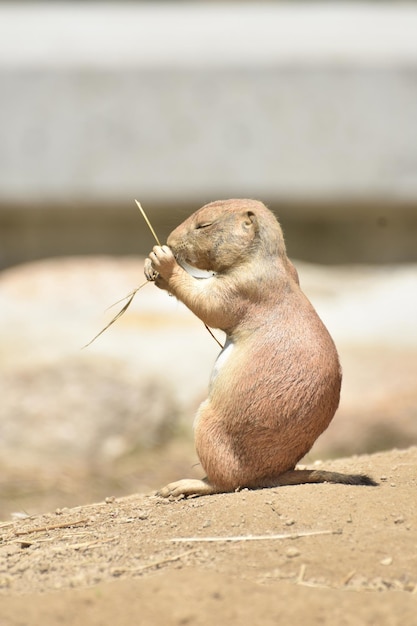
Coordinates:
[312,108]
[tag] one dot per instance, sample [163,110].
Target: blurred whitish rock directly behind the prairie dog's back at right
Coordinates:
[365,305]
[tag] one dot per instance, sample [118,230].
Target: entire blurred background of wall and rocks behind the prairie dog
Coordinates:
[309,107]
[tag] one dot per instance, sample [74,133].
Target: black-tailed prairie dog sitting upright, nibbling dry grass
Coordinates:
[275,385]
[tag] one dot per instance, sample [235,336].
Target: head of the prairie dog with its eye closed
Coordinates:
[225,234]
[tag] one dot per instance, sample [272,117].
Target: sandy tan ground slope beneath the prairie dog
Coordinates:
[307,554]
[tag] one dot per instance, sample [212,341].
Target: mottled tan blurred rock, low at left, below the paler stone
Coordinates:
[91,410]
